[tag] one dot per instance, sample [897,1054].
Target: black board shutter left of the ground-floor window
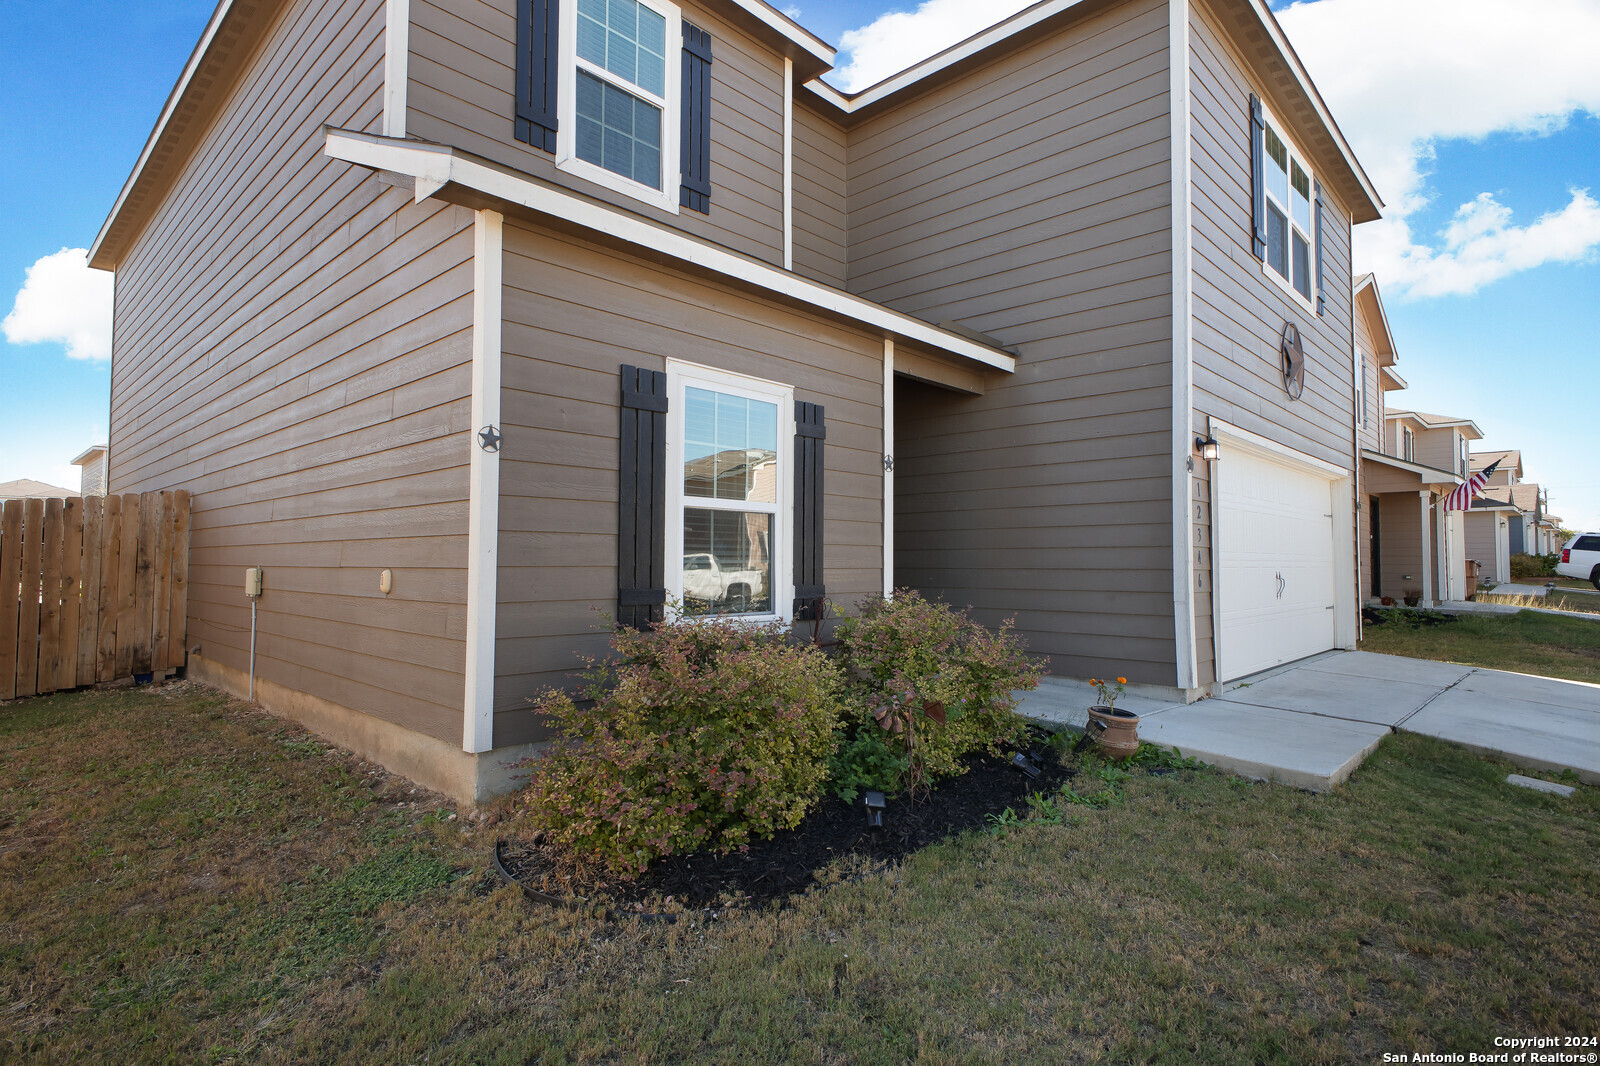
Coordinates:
[642,500]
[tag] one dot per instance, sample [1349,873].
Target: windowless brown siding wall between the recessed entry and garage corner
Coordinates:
[1031,201]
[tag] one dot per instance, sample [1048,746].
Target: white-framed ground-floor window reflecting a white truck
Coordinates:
[730,494]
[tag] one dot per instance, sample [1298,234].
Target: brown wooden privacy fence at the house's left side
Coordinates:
[92,590]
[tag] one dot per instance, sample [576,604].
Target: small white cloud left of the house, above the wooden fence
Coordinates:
[63,302]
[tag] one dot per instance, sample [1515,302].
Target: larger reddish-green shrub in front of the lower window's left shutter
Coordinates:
[702,735]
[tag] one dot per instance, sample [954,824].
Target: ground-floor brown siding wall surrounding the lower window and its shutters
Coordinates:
[575,313]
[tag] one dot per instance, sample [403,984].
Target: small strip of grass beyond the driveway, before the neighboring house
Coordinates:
[1526,643]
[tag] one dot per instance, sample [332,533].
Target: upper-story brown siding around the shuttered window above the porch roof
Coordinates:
[462,92]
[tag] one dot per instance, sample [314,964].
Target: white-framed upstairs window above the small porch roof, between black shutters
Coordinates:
[620,90]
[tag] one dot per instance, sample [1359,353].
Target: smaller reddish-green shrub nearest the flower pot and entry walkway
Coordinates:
[938,684]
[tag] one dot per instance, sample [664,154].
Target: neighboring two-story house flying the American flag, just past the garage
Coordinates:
[1410,462]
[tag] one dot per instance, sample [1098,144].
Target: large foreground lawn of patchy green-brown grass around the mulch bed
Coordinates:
[186,881]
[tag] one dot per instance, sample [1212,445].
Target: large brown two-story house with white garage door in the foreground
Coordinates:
[484,297]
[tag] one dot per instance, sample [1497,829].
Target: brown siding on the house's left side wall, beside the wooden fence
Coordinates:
[294,347]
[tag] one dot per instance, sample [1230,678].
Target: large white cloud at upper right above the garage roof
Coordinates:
[1404,76]
